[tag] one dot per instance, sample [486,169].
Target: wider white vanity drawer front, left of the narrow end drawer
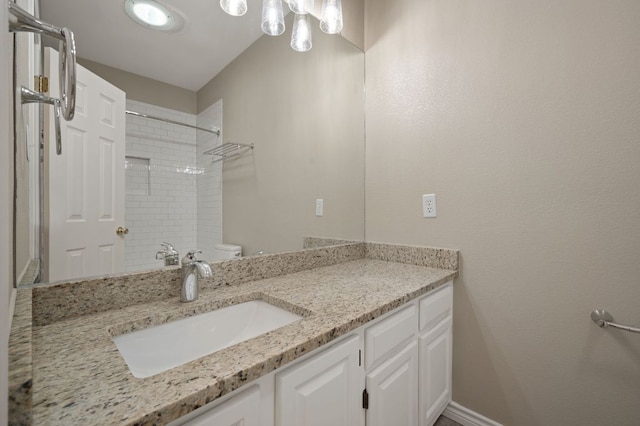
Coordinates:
[389,334]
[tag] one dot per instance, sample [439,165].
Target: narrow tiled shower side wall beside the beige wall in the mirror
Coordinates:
[209,182]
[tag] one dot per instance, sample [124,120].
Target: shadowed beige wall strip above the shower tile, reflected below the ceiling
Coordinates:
[145,89]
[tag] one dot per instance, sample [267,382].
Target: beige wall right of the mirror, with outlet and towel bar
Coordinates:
[523,118]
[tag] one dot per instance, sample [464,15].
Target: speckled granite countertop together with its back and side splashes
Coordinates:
[79,376]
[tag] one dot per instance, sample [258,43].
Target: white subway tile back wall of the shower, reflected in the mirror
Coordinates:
[168,209]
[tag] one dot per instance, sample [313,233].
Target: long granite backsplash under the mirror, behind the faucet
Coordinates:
[59,301]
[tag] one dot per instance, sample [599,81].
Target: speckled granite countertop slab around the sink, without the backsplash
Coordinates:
[79,377]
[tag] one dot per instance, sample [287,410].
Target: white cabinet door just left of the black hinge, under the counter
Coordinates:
[323,390]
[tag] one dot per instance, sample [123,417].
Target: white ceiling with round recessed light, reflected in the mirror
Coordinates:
[189,58]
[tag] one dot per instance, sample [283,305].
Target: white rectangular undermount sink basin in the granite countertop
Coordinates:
[157,349]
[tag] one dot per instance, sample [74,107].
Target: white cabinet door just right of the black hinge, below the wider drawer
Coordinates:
[393,390]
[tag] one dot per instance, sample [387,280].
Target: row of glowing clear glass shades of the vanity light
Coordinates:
[273,18]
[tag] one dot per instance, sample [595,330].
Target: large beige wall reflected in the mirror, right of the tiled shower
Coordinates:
[305,114]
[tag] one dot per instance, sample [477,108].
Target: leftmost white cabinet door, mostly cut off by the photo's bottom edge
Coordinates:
[241,410]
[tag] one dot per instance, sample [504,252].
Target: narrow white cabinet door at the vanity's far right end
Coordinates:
[435,372]
